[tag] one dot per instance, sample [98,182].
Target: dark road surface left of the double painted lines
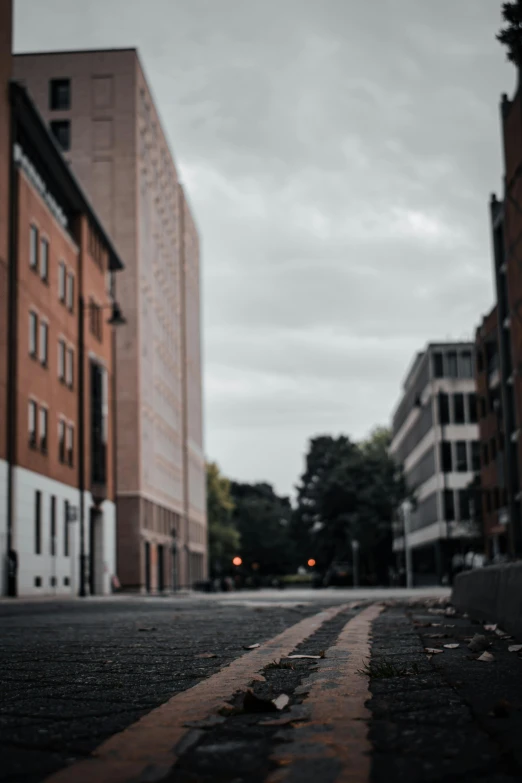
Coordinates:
[74,672]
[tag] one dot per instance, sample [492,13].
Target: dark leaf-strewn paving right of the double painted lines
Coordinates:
[445,717]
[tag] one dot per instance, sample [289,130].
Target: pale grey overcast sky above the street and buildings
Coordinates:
[339,156]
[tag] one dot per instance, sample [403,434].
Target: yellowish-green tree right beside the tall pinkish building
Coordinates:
[224,540]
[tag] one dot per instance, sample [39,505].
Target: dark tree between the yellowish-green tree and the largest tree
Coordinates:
[263,520]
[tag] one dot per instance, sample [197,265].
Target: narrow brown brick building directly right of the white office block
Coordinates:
[493,496]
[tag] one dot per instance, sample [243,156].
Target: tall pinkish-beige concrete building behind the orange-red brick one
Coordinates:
[100,108]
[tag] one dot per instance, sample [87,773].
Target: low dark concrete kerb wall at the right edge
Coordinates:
[493,594]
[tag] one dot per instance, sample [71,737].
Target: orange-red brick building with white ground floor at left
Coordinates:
[57,417]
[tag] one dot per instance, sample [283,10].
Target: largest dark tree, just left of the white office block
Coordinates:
[349,491]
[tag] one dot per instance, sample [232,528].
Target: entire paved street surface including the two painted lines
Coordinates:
[155,689]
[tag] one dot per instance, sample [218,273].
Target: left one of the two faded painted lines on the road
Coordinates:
[146,750]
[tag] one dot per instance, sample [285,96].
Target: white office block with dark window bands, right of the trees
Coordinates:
[435,439]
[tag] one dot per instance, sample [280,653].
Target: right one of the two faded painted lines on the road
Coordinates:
[334,741]
